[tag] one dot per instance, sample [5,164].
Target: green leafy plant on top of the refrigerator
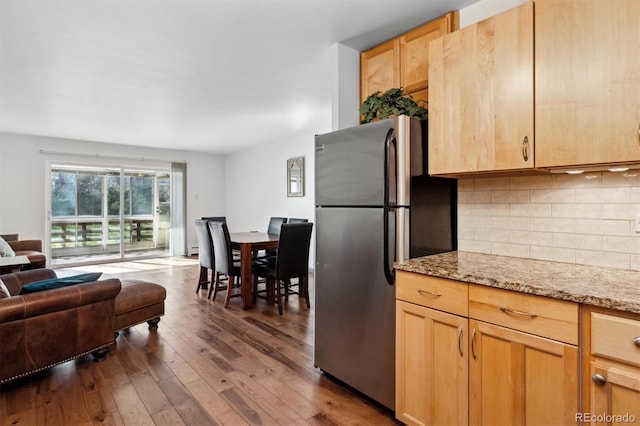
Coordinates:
[391,103]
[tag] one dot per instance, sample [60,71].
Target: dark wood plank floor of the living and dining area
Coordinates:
[205,365]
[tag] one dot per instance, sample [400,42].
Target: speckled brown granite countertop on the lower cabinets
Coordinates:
[606,287]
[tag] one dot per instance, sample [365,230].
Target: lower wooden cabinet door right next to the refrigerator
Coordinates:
[431,366]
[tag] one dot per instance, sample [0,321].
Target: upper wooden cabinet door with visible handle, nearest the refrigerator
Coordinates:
[481,96]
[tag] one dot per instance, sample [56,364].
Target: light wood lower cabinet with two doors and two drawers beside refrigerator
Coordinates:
[509,359]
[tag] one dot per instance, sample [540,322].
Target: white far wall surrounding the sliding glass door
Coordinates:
[23,178]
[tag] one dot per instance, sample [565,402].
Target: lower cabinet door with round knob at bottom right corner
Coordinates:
[615,391]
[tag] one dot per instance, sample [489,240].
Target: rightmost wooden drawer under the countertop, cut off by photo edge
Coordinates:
[613,337]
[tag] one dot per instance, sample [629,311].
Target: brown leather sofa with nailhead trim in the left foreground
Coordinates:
[40,330]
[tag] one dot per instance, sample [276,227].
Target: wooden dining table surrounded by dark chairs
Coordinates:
[247,243]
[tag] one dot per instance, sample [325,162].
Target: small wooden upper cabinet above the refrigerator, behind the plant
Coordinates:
[404,60]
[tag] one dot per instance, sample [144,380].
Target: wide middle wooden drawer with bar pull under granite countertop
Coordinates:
[542,316]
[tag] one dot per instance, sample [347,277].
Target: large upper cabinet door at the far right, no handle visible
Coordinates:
[587,82]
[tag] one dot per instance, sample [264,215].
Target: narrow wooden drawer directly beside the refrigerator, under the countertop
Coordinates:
[437,293]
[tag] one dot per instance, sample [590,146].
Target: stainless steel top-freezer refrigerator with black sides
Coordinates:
[375,204]
